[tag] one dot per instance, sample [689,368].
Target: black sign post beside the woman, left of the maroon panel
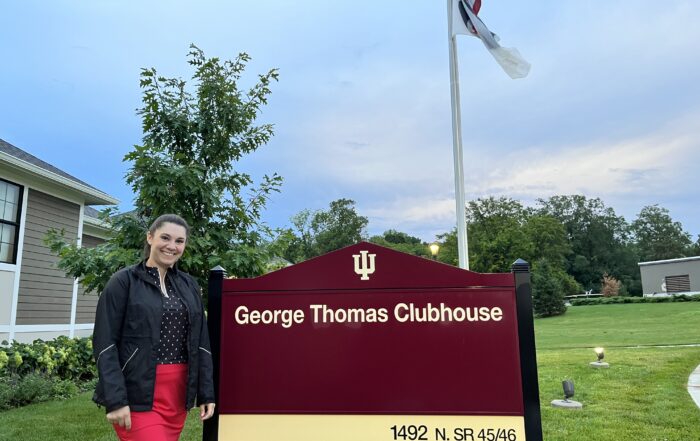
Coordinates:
[210,431]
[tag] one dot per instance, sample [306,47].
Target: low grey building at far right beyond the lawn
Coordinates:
[672,276]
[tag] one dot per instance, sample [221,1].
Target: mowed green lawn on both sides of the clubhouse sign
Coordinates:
[642,396]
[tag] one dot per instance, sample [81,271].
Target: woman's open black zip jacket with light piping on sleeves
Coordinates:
[127,332]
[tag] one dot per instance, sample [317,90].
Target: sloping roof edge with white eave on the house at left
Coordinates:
[30,163]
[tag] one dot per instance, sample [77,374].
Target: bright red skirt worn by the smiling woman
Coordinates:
[167,418]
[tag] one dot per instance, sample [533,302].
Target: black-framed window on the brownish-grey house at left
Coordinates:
[10,212]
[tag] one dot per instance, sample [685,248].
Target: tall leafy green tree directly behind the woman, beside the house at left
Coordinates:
[193,134]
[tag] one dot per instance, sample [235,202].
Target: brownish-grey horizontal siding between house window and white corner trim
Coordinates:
[45,293]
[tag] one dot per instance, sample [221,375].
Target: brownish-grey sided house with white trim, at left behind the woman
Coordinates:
[37,300]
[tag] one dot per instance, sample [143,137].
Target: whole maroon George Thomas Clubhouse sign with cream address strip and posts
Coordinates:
[373,344]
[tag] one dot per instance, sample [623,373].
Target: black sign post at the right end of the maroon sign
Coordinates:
[528,354]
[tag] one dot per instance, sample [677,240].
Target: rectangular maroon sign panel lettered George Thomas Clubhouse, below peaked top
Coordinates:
[387,352]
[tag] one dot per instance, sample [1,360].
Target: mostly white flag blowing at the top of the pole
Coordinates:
[465,21]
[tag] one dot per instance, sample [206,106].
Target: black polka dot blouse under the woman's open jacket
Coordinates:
[172,348]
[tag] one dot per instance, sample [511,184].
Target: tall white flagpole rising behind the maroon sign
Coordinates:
[457,146]
